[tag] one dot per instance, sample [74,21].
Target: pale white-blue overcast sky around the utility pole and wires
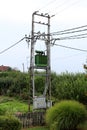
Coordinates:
[15,22]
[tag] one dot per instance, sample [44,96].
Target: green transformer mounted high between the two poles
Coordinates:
[40,59]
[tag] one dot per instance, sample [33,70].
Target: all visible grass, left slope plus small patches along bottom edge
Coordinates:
[12,106]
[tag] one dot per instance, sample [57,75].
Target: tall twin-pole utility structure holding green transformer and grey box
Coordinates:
[40,60]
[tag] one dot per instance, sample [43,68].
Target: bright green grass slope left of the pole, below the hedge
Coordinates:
[12,105]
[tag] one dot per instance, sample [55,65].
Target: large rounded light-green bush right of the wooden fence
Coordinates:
[66,115]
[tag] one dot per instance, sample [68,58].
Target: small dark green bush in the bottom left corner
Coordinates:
[9,123]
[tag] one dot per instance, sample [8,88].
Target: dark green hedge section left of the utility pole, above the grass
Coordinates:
[14,84]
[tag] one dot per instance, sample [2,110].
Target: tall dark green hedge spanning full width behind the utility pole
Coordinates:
[64,86]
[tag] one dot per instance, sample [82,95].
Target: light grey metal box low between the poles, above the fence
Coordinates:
[39,102]
